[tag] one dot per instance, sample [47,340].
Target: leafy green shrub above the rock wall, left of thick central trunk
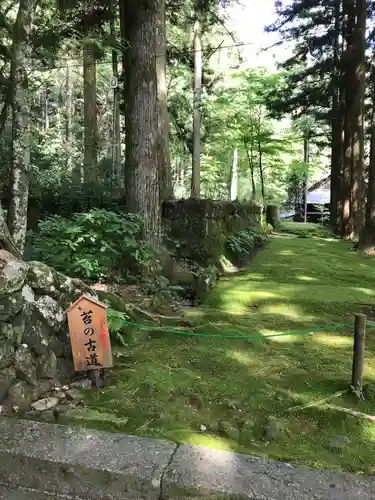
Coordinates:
[93,245]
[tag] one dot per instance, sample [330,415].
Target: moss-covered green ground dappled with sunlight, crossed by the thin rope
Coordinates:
[170,386]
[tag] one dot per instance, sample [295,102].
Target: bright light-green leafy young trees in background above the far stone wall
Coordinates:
[240,121]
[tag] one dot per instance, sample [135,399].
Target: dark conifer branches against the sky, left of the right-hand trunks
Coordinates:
[308,82]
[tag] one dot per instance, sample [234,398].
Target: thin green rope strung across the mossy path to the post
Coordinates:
[243,337]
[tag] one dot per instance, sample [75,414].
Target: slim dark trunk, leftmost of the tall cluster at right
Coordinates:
[336,127]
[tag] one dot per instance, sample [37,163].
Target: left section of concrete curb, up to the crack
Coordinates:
[81,463]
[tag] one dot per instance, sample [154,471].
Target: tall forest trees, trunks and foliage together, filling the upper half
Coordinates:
[149,100]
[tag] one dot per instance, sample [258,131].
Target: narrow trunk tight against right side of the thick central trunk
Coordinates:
[165,172]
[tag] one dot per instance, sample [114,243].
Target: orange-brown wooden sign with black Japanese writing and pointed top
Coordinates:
[89,335]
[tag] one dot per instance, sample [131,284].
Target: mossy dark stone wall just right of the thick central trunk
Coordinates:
[203,226]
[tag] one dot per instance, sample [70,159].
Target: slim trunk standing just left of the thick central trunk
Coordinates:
[116,126]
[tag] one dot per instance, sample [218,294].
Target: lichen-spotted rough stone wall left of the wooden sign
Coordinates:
[35,354]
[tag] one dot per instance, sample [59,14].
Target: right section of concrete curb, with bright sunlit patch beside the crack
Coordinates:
[197,472]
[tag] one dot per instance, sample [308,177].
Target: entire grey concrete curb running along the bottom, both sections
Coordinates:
[50,461]
